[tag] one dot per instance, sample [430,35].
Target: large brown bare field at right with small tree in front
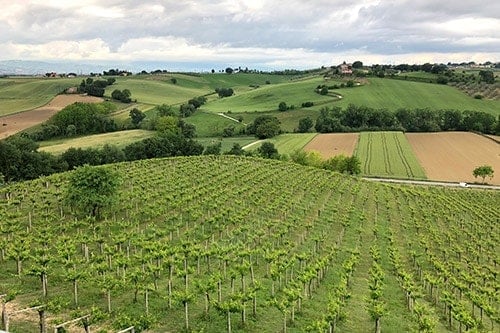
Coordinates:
[452,156]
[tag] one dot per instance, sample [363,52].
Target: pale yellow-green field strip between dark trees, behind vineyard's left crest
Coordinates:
[120,139]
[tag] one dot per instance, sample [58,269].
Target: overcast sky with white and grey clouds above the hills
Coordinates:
[254,33]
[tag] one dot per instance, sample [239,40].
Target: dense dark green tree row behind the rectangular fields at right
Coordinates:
[362,118]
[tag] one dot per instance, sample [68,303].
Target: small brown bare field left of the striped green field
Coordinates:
[333,144]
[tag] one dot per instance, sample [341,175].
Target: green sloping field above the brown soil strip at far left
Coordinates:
[22,94]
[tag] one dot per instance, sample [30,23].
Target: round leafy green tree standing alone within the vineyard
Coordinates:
[91,189]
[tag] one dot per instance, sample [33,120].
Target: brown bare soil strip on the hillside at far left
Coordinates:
[15,123]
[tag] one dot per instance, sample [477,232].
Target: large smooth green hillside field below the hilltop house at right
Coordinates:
[393,94]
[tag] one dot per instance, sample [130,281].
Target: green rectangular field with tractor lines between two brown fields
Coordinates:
[387,154]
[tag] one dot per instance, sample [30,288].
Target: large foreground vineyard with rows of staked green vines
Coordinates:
[231,244]
